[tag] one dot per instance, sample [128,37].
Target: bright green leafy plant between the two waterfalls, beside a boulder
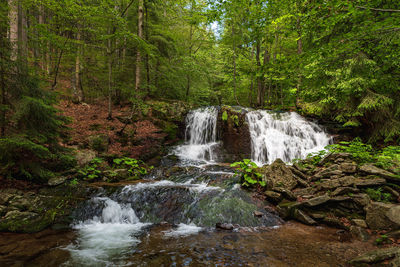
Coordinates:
[248,171]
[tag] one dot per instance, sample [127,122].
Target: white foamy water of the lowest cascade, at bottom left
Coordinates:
[104,240]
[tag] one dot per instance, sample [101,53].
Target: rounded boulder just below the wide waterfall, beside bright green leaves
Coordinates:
[278,175]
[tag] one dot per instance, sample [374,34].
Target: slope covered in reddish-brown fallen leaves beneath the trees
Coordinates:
[91,120]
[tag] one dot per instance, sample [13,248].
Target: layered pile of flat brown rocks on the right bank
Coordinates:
[338,192]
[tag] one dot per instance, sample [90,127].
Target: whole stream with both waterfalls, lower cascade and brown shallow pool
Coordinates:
[169,218]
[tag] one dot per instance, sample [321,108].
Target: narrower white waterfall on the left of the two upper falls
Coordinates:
[200,136]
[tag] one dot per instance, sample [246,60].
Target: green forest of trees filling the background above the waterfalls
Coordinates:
[338,60]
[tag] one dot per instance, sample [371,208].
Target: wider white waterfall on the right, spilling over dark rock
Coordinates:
[283,135]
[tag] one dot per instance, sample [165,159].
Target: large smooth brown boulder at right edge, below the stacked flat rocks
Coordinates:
[383,216]
